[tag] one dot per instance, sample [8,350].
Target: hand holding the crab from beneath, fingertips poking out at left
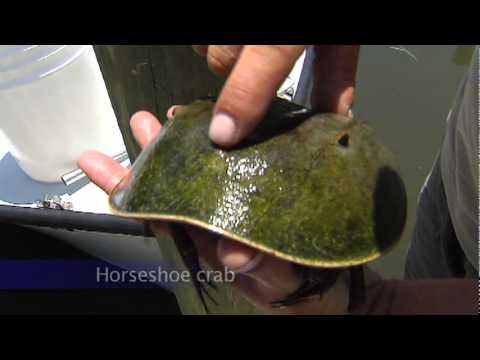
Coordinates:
[261,278]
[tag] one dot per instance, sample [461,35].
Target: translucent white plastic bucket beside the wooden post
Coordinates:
[53,106]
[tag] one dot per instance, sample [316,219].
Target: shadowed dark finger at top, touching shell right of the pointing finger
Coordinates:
[335,69]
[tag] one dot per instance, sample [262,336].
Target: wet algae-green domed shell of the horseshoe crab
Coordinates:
[315,189]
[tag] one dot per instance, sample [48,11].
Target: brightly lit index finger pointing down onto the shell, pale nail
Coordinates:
[248,91]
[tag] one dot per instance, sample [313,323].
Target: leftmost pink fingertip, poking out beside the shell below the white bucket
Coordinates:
[102,170]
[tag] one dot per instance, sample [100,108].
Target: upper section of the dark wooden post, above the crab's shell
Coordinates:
[152,78]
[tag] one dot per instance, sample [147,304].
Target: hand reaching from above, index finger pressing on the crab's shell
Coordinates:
[255,72]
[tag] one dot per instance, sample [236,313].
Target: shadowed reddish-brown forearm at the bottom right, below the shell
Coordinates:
[400,297]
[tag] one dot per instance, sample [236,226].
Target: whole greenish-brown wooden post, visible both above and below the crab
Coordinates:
[153,78]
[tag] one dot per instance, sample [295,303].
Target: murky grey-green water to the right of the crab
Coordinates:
[406,96]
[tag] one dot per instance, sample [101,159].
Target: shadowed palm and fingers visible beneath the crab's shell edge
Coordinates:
[262,279]
